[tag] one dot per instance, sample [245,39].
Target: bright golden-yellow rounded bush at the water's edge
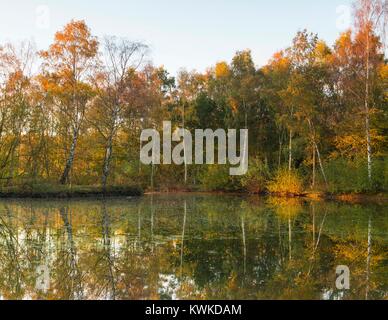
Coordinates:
[286,182]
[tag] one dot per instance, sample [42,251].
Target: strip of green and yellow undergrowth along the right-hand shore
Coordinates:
[342,180]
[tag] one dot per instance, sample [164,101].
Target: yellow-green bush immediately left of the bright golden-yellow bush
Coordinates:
[255,181]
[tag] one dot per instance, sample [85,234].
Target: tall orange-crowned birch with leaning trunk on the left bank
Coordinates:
[67,66]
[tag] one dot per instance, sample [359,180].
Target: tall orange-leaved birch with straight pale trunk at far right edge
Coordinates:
[358,79]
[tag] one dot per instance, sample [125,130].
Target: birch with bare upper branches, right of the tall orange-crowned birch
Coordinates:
[114,84]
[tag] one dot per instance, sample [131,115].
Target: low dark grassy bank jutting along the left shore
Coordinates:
[45,191]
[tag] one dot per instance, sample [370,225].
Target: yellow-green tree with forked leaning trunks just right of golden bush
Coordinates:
[308,89]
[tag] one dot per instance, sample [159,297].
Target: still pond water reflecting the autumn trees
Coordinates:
[191,247]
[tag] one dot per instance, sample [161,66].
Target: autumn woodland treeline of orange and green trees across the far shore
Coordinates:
[316,114]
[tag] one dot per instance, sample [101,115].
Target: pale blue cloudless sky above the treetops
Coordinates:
[191,34]
